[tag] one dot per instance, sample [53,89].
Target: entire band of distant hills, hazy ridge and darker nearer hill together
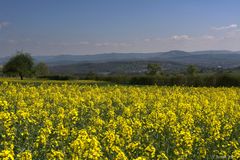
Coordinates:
[137,62]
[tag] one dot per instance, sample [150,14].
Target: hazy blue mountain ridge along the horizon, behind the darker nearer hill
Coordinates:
[208,58]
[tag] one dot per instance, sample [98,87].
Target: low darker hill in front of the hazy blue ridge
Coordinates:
[130,67]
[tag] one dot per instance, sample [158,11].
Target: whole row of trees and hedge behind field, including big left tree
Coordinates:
[22,65]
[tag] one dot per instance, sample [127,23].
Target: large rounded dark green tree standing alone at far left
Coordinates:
[20,64]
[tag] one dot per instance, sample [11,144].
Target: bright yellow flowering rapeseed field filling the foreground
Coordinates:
[72,121]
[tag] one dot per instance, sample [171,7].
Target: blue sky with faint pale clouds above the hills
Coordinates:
[52,27]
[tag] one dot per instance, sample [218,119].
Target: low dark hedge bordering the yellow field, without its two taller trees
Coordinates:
[214,80]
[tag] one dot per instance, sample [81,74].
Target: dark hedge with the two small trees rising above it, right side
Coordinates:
[155,76]
